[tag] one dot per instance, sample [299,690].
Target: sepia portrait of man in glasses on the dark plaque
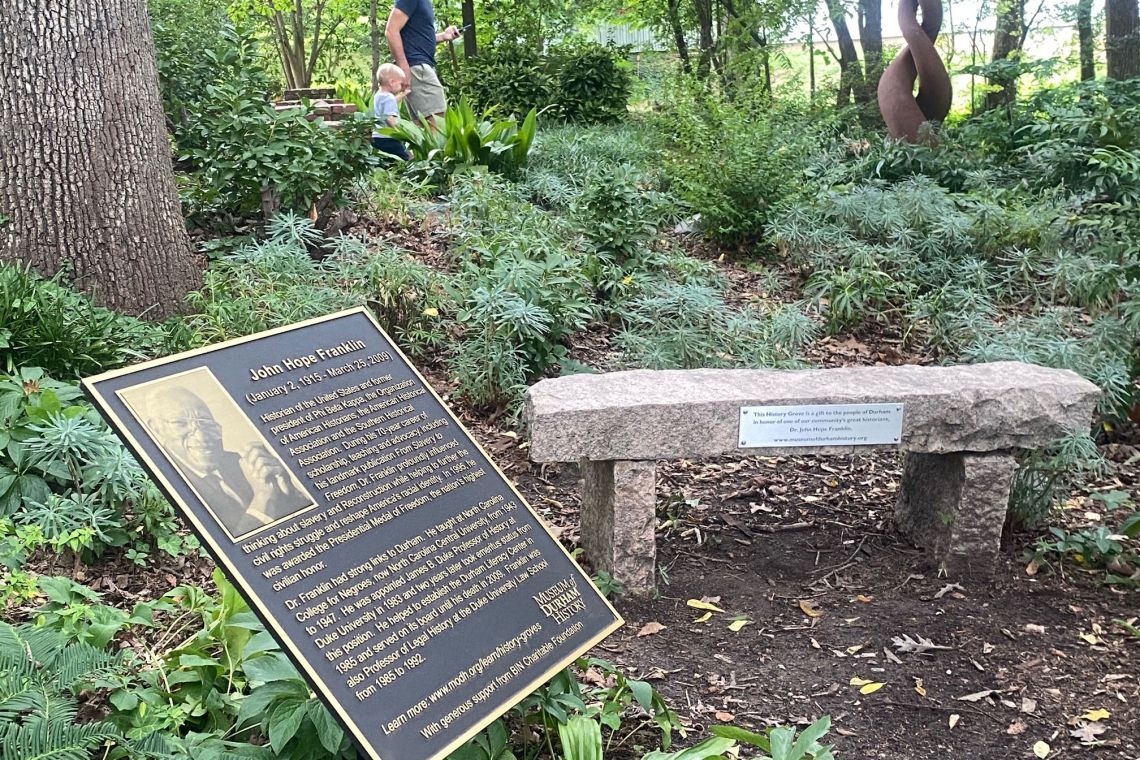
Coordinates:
[217,451]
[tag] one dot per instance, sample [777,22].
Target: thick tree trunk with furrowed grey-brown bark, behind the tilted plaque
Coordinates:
[86,173]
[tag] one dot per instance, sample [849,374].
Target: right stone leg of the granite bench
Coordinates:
[955,506]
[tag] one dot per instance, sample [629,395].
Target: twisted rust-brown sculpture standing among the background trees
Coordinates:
[905,112]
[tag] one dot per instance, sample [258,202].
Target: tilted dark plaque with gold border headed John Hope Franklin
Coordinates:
[396,565]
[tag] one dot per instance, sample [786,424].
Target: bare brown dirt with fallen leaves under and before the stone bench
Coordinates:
[825,601]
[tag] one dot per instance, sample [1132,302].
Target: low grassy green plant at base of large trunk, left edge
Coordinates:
[46,324]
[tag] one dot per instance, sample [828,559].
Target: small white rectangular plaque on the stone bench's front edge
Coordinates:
[825,424]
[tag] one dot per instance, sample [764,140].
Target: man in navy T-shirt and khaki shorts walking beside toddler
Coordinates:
[412,38]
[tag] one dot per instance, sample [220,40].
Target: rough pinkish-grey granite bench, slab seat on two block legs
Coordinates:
[962,428]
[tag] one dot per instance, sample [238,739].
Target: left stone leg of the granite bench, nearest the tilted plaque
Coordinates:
[618,520]
